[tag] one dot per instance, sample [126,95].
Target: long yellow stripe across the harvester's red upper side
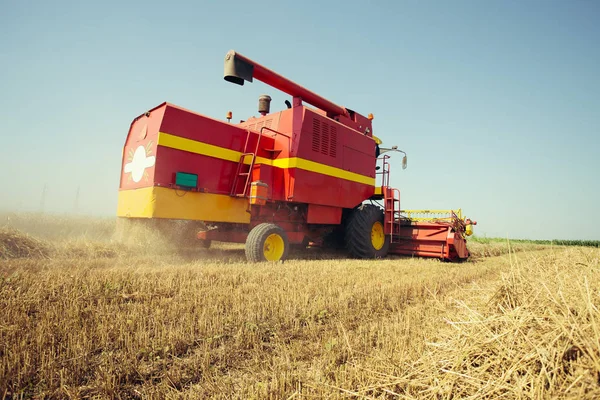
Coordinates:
[193,146]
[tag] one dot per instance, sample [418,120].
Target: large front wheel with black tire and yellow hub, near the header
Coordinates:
[359,227]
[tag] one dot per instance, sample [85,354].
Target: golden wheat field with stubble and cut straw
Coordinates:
[85,317]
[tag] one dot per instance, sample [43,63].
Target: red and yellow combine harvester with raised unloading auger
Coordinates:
[295,177]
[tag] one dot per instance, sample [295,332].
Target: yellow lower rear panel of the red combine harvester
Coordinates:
[159,202]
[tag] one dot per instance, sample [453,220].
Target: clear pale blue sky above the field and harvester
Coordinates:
[497,103]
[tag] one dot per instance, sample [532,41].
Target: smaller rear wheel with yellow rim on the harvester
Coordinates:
[256,251]
